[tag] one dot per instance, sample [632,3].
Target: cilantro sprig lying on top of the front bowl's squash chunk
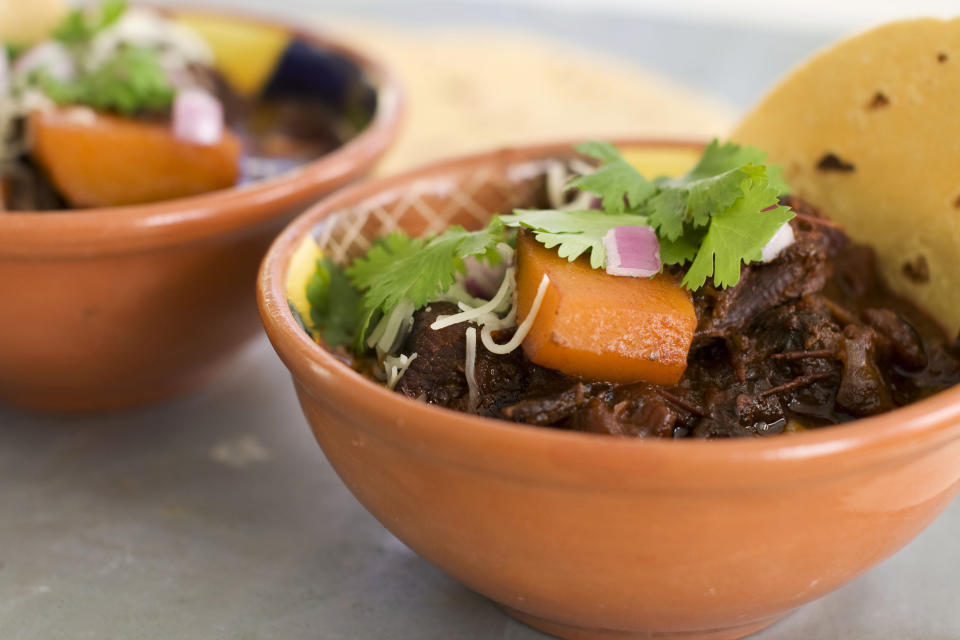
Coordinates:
[718,215]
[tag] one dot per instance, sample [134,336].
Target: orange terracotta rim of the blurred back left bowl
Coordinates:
[134,227]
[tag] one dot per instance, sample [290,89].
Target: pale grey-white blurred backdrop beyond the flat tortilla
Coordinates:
[733,49]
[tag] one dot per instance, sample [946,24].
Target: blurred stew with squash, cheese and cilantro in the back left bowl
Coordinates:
[125,106]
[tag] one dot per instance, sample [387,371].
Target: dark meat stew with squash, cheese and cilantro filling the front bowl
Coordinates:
[708,305]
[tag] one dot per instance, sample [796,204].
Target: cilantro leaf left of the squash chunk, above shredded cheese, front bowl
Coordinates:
[418,270]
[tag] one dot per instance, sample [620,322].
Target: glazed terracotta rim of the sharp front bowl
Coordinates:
[893,437]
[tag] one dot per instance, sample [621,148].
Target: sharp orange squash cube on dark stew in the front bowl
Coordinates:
[602,327]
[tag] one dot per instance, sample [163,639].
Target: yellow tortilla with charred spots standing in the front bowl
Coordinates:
[869,130]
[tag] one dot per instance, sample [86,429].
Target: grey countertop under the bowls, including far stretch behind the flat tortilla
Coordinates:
[217,516]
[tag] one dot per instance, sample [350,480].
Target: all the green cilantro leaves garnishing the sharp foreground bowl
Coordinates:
[717,217]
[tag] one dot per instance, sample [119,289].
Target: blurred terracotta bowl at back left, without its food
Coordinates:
[109,308]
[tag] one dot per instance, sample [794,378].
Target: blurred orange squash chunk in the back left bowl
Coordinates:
[101,160]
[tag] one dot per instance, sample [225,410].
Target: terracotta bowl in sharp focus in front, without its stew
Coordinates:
[596,537]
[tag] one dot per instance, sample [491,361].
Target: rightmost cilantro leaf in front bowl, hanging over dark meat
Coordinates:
[737,234]
